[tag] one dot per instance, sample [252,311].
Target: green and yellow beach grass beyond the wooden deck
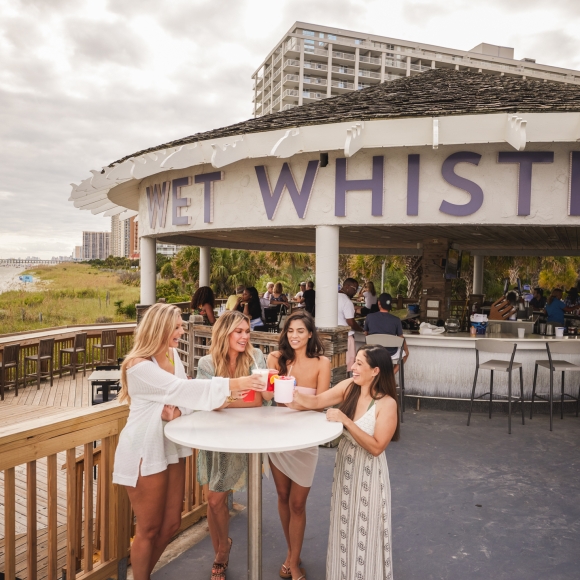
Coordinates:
[65,294]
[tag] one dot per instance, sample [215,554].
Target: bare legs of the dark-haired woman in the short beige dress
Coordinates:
[292,509]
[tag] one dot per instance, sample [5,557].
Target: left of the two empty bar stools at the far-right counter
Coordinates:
[498,346]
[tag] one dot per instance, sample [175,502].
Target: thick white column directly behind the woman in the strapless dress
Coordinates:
[327,238]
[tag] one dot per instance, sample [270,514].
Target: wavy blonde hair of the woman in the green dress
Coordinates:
[220,346]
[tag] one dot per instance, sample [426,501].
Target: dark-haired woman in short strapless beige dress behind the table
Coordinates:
[300,354]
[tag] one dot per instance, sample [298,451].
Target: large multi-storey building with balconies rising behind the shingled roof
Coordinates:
[314,62]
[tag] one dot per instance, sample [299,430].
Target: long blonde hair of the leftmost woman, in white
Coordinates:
[151,335]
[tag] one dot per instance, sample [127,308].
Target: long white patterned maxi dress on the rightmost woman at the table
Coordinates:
[359,542]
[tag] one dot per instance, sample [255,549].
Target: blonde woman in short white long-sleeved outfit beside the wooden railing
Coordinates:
[152,468]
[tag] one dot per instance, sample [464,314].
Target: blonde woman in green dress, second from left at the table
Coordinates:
[230,355]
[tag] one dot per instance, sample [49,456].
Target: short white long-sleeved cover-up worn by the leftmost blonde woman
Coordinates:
[142,440]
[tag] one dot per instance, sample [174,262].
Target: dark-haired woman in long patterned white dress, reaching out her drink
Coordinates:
[359,542]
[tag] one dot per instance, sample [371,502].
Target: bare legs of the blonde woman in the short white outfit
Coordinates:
[157,501]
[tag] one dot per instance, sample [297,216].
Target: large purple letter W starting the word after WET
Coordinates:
[286,180]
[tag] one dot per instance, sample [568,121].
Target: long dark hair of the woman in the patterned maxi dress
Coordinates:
[383,384]
